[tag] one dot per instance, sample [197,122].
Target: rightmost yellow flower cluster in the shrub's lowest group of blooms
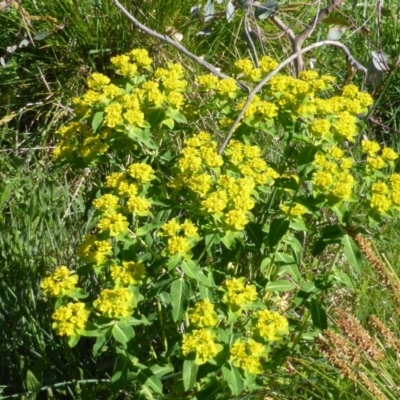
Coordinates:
[271,326]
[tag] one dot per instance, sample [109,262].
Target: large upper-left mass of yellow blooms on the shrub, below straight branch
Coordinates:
[125,107]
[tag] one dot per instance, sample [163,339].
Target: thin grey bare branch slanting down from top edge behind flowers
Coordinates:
[175,44]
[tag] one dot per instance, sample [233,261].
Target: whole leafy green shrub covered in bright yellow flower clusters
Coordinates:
[194,272]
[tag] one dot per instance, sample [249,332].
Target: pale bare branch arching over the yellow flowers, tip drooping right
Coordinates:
[350,59]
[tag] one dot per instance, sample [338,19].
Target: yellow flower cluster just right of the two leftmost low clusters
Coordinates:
[116,303]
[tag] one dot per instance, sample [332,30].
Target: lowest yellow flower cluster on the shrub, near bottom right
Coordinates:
[246,354]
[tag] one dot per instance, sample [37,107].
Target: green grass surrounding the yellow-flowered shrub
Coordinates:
[42,205]
